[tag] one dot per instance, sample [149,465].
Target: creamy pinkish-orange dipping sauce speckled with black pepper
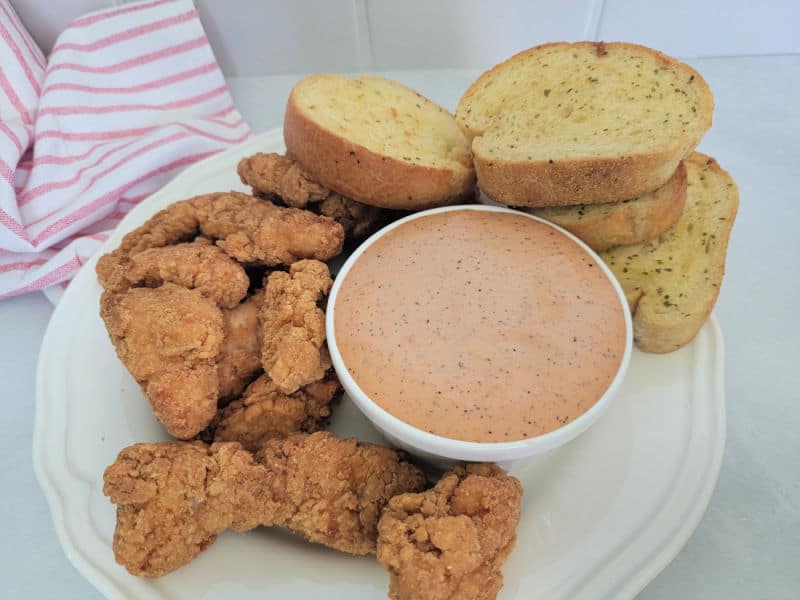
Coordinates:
[480,326]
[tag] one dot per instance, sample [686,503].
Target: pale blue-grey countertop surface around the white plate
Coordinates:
[748,543]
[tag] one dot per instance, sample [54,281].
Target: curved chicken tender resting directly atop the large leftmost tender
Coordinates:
[195,265]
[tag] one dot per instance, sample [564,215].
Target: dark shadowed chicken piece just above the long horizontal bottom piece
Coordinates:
[264,412]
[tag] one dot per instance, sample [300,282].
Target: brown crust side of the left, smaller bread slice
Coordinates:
[356,172]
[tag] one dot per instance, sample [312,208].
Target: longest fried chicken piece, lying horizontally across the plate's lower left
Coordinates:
[173,498]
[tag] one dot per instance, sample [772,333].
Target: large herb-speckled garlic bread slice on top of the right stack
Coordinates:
[584,123]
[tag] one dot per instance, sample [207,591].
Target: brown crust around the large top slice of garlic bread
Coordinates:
[563,180]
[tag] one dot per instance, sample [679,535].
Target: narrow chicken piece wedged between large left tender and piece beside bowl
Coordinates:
[239,360]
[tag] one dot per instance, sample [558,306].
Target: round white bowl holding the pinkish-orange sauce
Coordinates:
[443,452]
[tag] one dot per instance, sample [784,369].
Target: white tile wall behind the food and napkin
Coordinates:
[255,37]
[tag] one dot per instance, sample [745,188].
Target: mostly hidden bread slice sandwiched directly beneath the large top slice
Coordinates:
[603,226]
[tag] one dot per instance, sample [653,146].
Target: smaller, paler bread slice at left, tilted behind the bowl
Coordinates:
[378,142]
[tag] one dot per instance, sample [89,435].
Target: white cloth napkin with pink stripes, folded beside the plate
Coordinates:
[128,97]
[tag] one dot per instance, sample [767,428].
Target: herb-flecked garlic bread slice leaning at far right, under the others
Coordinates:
[672,283]
